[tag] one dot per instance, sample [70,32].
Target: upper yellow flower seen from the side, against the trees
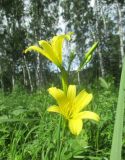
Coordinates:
[51,50]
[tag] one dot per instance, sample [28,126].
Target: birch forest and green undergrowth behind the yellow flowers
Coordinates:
[24,78]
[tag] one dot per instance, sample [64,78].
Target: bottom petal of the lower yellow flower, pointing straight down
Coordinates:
[75,126]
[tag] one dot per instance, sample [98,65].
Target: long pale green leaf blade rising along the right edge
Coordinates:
[118,127]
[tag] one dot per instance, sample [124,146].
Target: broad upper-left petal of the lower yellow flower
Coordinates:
[58,94]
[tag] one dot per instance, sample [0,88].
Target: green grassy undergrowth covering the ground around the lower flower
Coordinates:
[29,132]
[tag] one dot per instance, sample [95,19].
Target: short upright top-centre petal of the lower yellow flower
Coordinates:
[71,93]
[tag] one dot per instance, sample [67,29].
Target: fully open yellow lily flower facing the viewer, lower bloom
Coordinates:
[71,106]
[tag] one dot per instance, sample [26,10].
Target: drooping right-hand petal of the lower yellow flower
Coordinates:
[88,115]
